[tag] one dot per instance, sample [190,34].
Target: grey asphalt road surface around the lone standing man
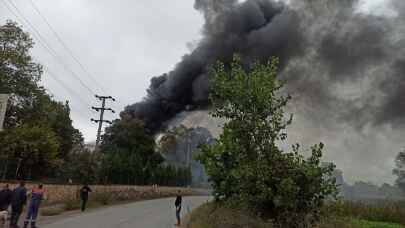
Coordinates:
[158,213]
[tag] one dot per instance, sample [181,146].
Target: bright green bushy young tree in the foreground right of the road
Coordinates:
[246,165]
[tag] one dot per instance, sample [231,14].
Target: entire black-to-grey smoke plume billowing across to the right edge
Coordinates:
[344,68]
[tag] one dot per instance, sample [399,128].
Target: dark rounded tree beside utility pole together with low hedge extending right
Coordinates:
[129,156]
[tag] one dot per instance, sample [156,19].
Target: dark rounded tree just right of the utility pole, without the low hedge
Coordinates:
[129,152]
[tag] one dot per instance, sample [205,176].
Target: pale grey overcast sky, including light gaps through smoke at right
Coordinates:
[123,45]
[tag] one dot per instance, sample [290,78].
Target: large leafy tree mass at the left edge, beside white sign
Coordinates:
[30,111]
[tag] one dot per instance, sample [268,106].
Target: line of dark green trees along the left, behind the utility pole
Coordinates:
[39,141]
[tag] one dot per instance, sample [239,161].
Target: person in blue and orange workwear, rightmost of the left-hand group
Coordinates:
[37,194]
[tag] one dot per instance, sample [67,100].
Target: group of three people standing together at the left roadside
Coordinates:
[17,199]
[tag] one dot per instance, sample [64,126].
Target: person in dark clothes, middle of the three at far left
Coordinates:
[18,200]
